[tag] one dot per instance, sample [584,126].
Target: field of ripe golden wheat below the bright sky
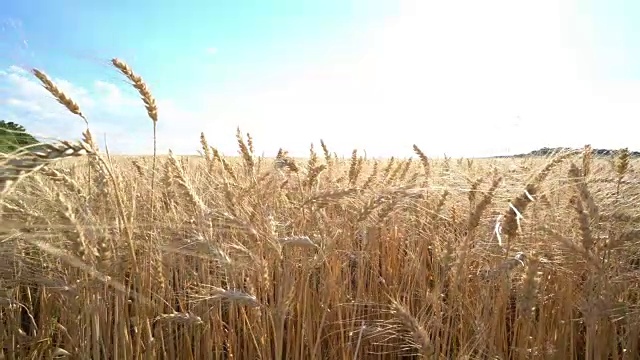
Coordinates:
[247,257]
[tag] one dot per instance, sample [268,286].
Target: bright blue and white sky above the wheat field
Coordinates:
[457,77]
